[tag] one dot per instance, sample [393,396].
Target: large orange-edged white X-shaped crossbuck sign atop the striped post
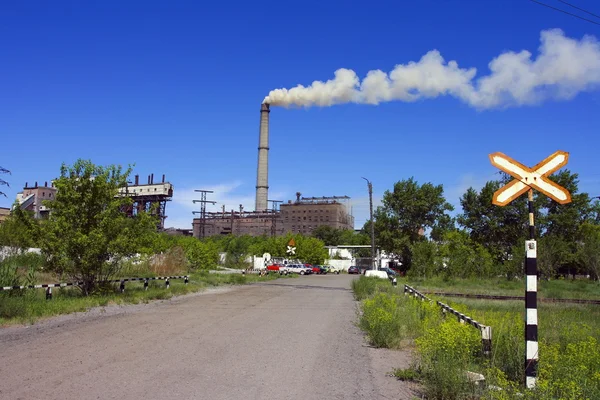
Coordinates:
[526,178]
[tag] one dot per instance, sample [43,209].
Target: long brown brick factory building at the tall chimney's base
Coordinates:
[301,216]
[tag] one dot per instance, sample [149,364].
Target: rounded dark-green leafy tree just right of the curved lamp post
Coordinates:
[408,211]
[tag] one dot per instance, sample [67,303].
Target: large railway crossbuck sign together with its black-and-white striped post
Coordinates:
[527,179]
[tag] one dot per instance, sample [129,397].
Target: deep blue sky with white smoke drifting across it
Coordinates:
[175,88]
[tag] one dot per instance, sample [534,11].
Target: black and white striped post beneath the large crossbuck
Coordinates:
[531,339]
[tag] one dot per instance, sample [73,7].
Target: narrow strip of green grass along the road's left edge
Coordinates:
[28,306]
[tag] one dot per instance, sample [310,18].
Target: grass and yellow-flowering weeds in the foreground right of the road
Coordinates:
[445,349]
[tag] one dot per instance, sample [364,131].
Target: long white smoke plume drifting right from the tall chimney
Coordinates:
[563,68]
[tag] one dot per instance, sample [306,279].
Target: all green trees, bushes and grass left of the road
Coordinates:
[89,238]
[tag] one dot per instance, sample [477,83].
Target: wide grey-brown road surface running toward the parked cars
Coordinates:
[282,339]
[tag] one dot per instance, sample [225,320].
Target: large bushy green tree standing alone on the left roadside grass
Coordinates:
[87,235]
